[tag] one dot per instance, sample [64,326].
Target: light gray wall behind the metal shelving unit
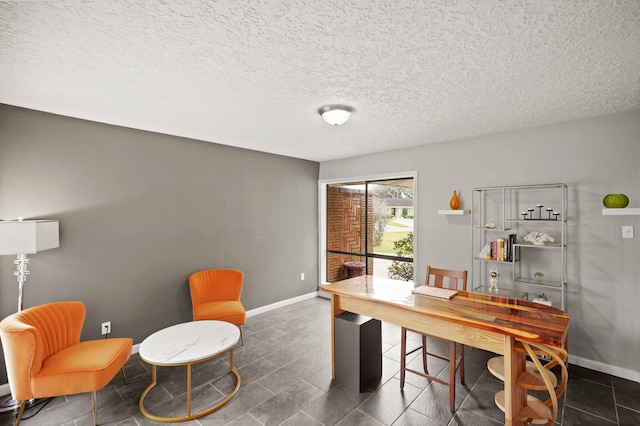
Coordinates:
[593,157]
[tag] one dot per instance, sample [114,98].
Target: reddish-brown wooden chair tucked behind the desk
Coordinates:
[442,278]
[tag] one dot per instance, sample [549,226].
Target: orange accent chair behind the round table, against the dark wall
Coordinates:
[215,295]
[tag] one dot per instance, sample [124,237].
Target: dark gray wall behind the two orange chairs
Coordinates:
[140,211]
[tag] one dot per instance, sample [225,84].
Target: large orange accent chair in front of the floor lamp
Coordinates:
[44,356]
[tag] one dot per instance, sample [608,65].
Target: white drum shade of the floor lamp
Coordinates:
[28,236]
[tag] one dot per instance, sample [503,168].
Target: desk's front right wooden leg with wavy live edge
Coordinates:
[515,397]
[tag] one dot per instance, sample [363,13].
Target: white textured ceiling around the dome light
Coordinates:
[253,74]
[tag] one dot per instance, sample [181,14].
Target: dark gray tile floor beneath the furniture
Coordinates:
[286,380]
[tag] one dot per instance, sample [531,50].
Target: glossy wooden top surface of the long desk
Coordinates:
[513,317]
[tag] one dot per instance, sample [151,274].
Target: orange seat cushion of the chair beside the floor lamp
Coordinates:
[83,367]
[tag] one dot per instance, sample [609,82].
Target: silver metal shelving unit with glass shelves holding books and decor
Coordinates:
[534,269]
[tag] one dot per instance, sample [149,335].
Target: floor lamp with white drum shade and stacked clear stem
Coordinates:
[22,237]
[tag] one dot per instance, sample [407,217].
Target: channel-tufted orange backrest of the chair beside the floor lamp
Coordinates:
[34,334]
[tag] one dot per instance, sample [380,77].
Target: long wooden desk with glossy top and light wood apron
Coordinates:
[483,321]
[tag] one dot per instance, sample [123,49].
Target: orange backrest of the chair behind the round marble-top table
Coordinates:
[212,285]
